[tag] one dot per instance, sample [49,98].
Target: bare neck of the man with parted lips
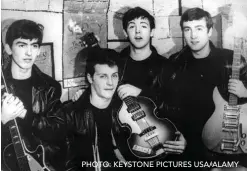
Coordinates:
[140,54]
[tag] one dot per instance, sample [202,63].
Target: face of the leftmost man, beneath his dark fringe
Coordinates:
[24,52]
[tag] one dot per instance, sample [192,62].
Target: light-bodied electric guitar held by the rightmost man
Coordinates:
[225,131]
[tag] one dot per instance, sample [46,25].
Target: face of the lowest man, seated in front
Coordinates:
[104,81]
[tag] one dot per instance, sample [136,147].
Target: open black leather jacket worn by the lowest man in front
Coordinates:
[80,124]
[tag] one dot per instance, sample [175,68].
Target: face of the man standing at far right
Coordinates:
[196,34]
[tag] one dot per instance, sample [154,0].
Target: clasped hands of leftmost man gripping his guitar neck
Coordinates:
[12,108]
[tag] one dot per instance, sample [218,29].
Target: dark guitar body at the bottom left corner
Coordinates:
[29,162]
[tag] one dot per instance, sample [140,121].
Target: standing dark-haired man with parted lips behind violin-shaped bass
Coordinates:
[142,65]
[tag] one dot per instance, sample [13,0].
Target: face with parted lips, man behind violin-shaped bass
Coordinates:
[139,32]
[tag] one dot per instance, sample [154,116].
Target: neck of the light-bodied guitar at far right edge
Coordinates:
[233,99]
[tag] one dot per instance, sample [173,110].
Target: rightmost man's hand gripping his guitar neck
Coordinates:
[237,87]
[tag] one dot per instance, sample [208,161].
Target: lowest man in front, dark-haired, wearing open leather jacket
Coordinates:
[91,121]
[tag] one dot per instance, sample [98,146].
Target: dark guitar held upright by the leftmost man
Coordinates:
[16,155]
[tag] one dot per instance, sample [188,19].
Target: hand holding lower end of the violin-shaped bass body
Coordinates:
[176,147]
